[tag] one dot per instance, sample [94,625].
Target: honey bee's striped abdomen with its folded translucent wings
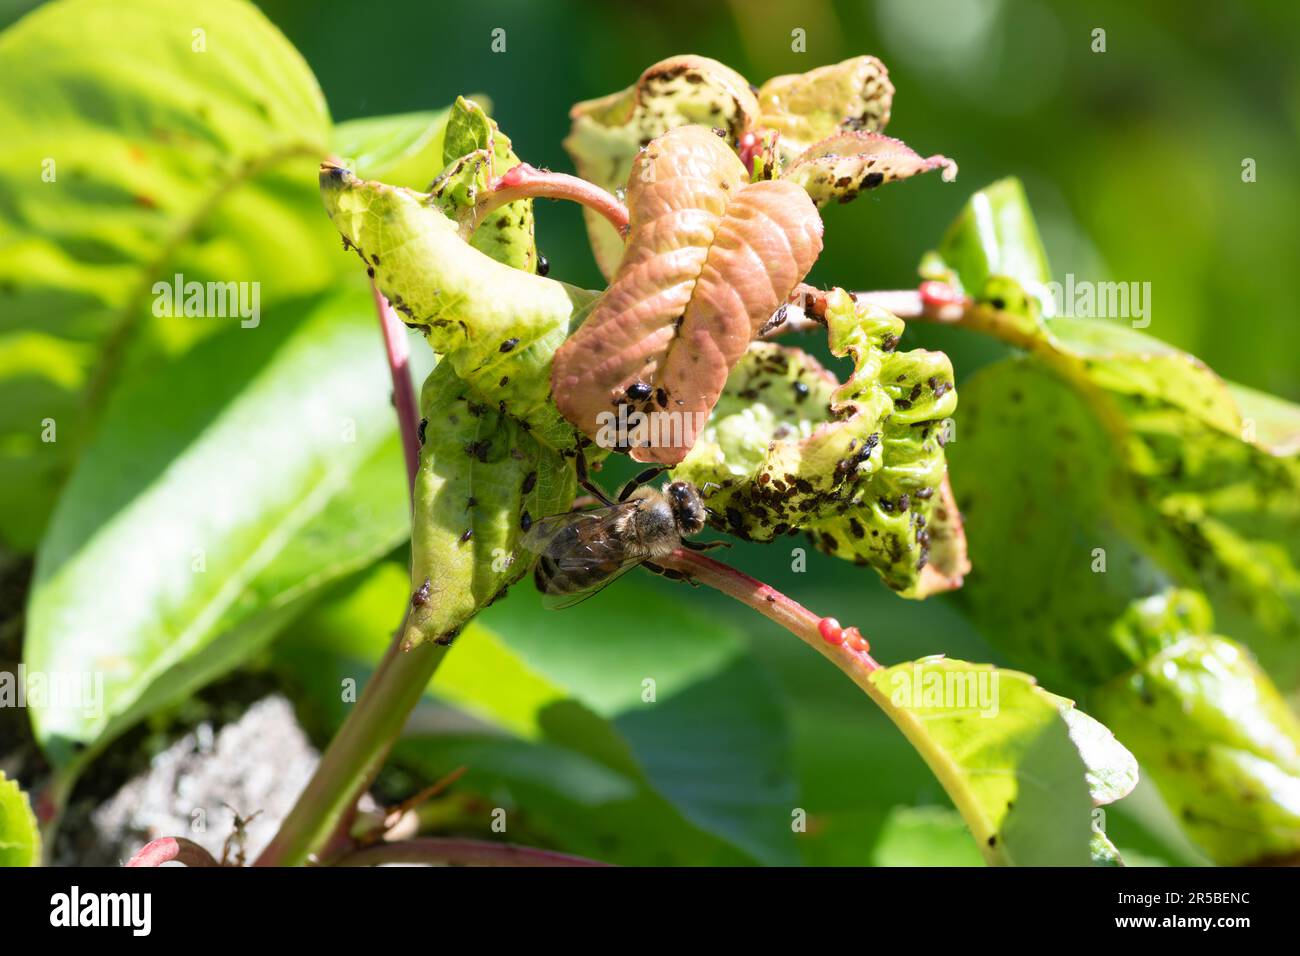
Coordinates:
[583,551]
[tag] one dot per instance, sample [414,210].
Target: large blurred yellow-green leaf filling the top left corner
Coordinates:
[144,139]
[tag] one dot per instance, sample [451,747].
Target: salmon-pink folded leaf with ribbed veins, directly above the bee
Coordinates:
[710,257]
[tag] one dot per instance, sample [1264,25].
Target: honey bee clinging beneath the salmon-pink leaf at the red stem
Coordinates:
[582,552]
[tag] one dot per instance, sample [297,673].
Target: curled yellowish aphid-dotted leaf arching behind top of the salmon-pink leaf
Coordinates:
[609,132]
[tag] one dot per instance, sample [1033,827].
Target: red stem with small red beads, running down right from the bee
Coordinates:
[773,604]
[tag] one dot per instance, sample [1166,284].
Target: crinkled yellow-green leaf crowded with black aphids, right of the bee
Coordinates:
[860,468]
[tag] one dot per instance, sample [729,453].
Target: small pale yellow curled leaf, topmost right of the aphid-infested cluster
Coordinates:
[805,109]
